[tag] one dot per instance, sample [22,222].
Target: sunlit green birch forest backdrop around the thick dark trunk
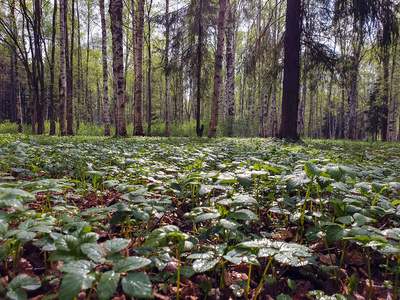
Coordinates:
[145,67]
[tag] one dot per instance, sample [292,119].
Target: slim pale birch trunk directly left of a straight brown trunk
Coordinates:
[63,70]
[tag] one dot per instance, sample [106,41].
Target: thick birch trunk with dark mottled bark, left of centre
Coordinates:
[116,7]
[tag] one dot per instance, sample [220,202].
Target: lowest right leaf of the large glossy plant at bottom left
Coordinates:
[137,285]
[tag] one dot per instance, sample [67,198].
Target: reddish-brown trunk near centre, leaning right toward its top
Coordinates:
[218,70]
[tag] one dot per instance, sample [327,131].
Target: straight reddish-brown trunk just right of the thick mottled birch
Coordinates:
[138,127]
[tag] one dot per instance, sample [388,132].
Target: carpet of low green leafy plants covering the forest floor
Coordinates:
[94,218]
